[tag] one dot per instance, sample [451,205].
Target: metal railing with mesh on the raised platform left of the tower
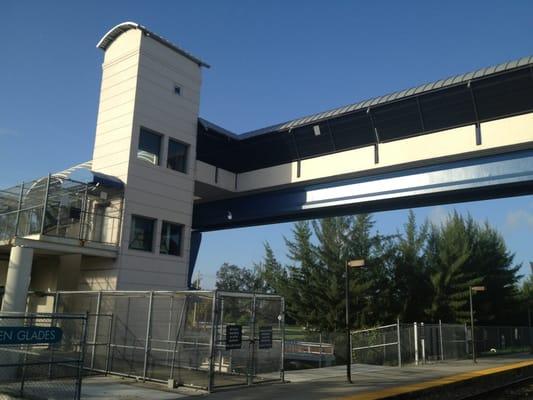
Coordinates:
[61,208]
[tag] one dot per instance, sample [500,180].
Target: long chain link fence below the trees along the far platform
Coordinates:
[401,343]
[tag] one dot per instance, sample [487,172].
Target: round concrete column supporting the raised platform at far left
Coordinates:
[18,279]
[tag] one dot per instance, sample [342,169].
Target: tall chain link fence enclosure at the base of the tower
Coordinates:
[179,338]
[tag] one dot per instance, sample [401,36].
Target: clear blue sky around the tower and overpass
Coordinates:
[271,61]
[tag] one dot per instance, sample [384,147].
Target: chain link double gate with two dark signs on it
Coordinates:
[248,339]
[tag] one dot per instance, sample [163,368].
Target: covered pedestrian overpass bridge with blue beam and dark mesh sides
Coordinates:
[465,138]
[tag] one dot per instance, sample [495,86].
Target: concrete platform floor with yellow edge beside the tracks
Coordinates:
[369,382]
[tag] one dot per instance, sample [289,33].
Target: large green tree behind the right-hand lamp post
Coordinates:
[463,253]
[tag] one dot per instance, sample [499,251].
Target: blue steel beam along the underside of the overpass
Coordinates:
[481,178]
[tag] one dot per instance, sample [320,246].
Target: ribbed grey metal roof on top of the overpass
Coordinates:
[432,86]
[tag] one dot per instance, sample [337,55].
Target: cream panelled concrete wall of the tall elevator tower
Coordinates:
[139,75]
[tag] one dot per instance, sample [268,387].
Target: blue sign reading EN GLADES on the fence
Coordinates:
[30,335]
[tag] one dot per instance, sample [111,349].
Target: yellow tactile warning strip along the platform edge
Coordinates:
[413,387]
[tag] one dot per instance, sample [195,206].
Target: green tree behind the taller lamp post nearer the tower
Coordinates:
[315,290]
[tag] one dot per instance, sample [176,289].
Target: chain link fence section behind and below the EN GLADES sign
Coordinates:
[42,355]
